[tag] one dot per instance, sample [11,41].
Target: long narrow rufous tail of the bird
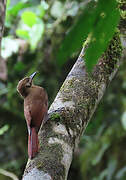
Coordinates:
[32,143]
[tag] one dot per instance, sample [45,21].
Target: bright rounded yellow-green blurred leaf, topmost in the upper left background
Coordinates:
[29,18]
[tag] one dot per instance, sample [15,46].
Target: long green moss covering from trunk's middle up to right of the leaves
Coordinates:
[83,92]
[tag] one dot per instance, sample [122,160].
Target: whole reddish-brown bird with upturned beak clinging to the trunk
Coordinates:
[35,110]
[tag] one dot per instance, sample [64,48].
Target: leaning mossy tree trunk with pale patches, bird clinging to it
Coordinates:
[71,111]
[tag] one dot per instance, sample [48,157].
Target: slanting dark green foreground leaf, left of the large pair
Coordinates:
[74,39]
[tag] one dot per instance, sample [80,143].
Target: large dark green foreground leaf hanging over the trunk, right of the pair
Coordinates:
[102,31]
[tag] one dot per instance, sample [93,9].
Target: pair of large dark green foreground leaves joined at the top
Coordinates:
[100,20]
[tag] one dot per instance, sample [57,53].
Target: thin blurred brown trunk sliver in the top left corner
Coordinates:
[2,17]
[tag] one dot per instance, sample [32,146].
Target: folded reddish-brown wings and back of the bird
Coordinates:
[35,110]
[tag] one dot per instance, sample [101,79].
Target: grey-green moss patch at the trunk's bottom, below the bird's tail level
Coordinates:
[50,161]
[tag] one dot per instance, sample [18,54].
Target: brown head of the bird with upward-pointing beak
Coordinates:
[25,84]
